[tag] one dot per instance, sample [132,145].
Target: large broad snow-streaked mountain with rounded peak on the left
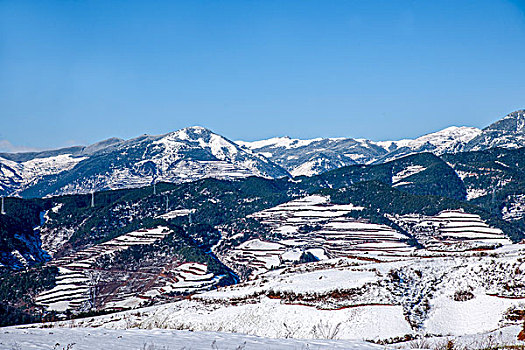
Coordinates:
[184,155]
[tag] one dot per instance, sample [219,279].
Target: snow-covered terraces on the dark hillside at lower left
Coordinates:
[79,279]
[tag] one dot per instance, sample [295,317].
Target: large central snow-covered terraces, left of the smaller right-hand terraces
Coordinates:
[313,225]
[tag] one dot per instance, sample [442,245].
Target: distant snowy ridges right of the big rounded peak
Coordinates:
[314,156]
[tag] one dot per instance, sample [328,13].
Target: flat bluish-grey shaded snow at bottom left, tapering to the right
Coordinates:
[137,339]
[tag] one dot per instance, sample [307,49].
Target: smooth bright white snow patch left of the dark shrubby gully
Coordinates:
[267,318]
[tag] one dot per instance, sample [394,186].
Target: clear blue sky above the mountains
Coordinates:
[81,71]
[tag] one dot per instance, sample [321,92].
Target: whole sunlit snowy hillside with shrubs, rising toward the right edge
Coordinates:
[346,298]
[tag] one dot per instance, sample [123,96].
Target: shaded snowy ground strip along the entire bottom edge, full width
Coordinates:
[161,339]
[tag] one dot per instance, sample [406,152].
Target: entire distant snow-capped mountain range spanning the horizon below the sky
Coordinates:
[196,152]
